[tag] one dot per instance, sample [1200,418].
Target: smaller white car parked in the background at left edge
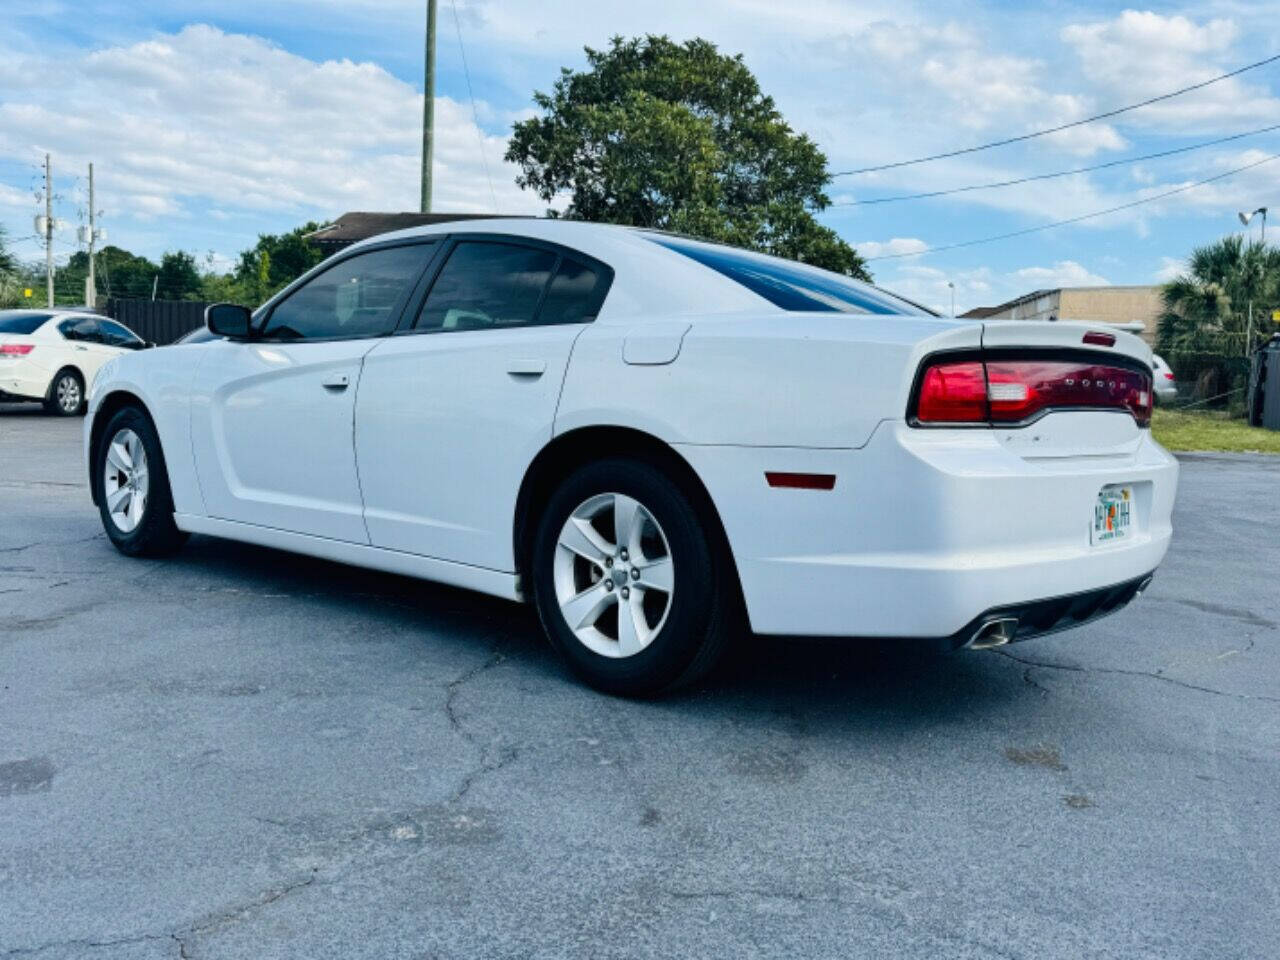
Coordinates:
[52,356]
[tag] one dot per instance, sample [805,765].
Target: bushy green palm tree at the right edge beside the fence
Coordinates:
[1205,328]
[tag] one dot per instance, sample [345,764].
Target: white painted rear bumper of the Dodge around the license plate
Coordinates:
[926,533]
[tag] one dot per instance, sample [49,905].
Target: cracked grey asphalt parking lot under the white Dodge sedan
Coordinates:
[240,753]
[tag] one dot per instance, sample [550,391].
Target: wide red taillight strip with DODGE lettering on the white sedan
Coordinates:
[1018,391]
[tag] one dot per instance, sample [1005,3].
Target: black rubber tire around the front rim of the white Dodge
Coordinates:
[156,536]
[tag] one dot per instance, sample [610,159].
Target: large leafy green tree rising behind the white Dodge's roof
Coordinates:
[680,138]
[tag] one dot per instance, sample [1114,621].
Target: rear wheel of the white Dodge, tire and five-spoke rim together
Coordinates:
[627,582]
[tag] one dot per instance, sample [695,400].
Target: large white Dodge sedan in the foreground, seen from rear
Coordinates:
[659,442]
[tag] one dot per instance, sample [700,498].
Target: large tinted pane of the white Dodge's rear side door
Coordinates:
[487,286]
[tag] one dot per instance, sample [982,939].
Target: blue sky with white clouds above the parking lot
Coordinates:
[211,122]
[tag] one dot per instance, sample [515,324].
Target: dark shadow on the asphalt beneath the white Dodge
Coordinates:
[881,680]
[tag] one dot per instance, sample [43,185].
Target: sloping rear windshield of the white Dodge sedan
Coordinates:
[790,286]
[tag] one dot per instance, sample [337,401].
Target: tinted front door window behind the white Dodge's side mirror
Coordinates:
[356,298]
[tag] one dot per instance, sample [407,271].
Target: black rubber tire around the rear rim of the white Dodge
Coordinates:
[701,616]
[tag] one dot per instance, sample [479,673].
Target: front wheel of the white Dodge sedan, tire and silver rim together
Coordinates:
[132,488]
